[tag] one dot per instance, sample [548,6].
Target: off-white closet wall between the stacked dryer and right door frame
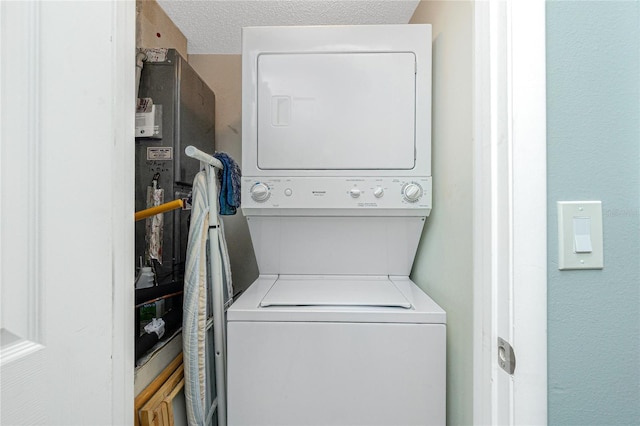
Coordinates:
[444,264]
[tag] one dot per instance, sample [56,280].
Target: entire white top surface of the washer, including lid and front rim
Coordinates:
[327,298]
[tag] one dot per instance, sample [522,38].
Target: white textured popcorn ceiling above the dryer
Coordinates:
[214,26]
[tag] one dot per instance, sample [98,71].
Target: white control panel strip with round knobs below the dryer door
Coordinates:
[336,193]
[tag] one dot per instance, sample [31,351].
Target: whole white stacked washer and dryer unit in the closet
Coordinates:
[336,189]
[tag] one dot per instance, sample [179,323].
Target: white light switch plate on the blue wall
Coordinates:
[580,235]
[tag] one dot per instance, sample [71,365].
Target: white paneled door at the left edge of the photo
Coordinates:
[66,210]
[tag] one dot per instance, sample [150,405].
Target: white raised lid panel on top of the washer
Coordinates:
[334,291]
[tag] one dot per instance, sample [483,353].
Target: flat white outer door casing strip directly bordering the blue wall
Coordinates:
[529,110]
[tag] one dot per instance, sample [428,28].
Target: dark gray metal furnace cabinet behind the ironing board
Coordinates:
[187,119]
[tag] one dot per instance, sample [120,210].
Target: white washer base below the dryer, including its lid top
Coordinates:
[326,350]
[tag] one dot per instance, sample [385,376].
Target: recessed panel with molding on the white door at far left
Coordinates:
[21,181]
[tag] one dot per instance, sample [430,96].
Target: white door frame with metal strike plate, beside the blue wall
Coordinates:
[510,238]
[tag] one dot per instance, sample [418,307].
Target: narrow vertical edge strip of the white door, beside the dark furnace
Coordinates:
[123,53]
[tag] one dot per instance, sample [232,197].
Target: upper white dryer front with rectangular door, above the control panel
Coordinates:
[343,100]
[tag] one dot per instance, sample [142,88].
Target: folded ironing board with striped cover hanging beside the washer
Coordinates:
[204,337]
